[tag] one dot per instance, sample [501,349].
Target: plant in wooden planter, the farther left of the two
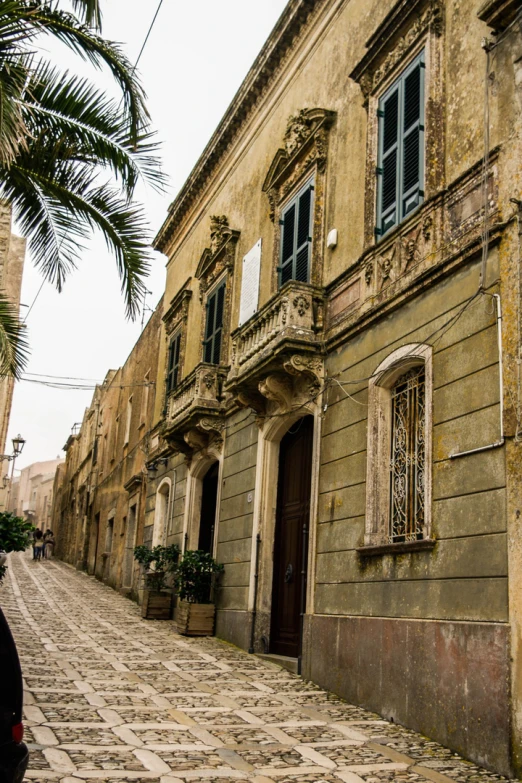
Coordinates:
[157,564]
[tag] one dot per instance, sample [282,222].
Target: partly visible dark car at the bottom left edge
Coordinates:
[14,755]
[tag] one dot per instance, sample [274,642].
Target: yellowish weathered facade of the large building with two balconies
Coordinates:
[338,398]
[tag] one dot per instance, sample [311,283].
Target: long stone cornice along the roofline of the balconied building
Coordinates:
[269,61]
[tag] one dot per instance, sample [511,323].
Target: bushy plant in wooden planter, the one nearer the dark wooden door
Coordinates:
[194,581]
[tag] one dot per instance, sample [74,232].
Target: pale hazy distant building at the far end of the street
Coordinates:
[32,498]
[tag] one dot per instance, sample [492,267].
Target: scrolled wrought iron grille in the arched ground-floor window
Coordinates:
[407,462]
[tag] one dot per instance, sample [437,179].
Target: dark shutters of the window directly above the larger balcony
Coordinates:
[296,237]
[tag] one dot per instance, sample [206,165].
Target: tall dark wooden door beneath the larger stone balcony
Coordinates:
[291,538]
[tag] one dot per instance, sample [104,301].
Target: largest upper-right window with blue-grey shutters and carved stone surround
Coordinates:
[410,37]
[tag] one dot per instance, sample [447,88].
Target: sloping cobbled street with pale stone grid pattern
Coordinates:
[113,698]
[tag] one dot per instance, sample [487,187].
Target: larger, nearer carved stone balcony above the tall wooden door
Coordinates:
[282,339]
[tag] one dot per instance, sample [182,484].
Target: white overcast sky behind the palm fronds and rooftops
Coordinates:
[196,58]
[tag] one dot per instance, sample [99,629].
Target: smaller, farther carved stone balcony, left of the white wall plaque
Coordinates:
[194,408]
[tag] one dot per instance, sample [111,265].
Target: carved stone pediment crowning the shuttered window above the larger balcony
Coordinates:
[305,148]
